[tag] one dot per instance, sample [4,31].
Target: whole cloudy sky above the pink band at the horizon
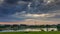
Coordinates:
[22,10]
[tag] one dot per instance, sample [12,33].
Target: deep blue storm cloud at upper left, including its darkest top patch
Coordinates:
[9,7]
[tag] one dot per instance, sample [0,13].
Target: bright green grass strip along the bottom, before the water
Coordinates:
[29,32]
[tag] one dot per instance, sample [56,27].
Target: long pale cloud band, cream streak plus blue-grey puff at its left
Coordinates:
[23,13]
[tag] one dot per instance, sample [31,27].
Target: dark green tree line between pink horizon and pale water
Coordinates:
[23,26]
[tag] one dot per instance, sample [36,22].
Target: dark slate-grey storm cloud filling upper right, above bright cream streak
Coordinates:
[40,7]
